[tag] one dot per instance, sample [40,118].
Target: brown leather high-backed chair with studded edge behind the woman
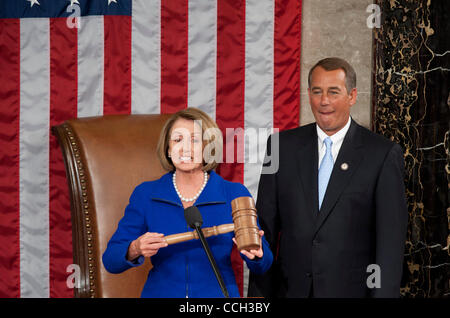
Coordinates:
[105,159]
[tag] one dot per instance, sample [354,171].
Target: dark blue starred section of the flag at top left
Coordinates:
[16,9]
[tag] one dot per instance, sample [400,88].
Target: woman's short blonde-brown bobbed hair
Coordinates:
[211,136]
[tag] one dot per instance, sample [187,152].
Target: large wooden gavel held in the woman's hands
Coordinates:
[244,225]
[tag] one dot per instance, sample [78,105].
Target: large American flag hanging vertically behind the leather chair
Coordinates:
[238,60]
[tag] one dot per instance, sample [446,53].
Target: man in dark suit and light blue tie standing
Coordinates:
[335,212]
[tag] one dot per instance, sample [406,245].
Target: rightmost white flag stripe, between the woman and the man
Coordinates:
[259,28]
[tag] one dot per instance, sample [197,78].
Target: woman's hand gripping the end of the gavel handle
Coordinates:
[146,245]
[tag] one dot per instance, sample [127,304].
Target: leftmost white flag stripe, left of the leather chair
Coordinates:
[34,156]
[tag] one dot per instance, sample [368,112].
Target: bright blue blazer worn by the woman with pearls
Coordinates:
[183,269]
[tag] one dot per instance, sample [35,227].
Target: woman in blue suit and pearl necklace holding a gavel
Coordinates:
[189,147]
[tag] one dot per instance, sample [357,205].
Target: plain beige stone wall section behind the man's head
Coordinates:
[337,28]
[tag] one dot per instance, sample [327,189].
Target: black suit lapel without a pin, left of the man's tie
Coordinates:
[307,163]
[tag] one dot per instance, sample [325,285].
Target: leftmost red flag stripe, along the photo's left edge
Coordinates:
[9,157]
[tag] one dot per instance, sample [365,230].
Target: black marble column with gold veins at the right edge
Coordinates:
[411,105]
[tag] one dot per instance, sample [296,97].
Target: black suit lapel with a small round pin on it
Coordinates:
[347,162]
